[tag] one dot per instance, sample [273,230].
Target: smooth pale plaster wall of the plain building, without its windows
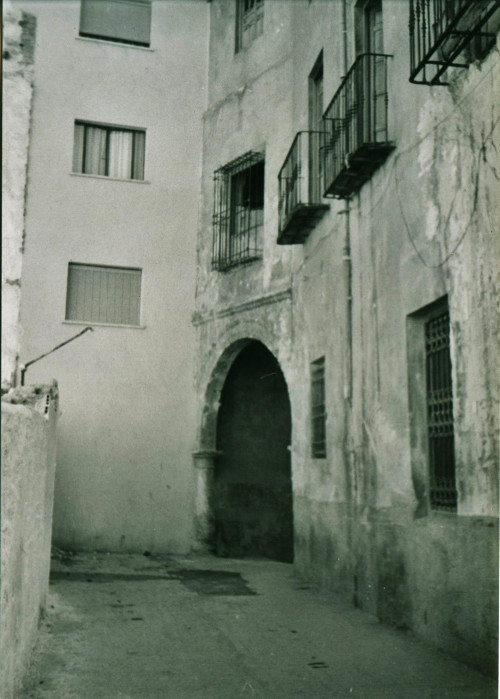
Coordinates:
[124,479]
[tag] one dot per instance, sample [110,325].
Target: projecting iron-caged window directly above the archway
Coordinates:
[238,211]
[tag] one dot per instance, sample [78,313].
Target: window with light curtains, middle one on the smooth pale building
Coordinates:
[109,151]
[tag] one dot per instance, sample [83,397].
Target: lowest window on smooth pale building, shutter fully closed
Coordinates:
[101,294]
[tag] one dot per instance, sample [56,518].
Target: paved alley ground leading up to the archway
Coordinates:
[187,628]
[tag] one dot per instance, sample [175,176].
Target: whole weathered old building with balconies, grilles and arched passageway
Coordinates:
[360,326]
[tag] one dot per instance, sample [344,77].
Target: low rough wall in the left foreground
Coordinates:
[29,416]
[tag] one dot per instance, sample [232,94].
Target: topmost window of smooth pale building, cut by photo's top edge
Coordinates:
[124,21]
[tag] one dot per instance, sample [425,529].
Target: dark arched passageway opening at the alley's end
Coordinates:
[253,492]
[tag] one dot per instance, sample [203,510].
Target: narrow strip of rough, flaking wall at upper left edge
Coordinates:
[17,64]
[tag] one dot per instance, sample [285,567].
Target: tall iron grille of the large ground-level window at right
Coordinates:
[442,491]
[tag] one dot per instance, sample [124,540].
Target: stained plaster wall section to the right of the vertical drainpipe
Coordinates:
[423,227]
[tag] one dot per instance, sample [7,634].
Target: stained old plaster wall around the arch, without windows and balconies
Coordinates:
[424,226]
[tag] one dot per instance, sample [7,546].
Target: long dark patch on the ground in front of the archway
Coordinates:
[204,582]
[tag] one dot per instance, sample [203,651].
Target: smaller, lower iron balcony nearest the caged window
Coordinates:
[300,187]
